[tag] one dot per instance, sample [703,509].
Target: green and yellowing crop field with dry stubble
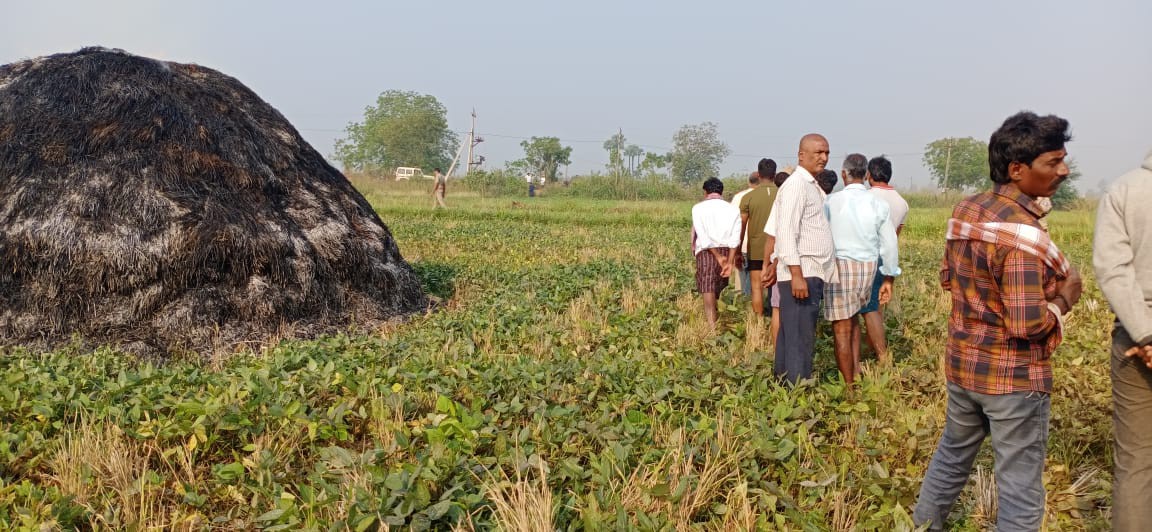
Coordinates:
[566,382]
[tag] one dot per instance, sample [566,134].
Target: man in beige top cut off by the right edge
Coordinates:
[1123,259]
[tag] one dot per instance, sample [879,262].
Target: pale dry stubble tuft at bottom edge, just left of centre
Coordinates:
[522,505]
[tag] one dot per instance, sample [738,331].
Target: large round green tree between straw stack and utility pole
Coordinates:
[401,130]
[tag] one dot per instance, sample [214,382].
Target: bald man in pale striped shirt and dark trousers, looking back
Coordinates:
[807,260]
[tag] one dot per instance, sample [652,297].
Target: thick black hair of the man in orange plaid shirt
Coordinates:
[1022,139]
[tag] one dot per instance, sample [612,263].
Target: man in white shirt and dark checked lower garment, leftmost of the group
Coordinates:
[716,242]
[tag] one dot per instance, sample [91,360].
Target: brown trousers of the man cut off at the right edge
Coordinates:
[1132,397]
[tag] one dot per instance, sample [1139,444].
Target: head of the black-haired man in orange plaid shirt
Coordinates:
[1029,151]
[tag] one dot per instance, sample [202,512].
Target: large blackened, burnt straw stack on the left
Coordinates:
[162,207]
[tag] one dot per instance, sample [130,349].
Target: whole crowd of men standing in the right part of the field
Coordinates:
[837,254]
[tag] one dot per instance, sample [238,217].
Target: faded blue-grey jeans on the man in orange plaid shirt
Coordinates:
[1019,424]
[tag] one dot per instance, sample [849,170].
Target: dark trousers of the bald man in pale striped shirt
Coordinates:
[797,343]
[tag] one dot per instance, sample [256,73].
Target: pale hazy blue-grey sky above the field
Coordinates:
[875,78]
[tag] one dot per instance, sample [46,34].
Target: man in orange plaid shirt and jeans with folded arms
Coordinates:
[1011,288]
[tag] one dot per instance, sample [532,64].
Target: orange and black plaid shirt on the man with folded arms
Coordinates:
[1002,332]
